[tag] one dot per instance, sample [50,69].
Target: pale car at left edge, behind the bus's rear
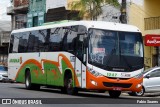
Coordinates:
[3,73]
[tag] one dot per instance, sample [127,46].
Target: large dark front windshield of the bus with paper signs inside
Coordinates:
[116,50]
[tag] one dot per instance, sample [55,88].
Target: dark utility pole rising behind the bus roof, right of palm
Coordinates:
[123,16]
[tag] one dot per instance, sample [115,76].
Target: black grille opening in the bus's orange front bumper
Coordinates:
[109,84]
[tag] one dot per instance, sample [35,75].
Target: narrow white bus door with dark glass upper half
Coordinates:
[80,67]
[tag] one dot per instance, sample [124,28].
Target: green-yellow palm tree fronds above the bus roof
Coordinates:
[91,8]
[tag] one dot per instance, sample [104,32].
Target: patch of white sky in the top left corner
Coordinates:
[3,10]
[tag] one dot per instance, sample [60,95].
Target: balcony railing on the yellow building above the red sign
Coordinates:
[152,23]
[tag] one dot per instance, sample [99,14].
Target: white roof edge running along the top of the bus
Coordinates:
[88,24]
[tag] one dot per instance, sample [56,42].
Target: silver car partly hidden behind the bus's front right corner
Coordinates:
[151,82]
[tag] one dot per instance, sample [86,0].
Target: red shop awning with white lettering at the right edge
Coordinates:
[152,40]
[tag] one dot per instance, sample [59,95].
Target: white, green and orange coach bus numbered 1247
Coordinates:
[78,55]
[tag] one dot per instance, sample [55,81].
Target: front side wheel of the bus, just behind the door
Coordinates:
[69,85]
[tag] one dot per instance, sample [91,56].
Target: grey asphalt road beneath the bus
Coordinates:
[88,99]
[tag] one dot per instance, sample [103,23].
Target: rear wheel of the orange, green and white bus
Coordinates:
[28,84]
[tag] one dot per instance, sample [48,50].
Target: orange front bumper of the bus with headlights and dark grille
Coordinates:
[119,84]
